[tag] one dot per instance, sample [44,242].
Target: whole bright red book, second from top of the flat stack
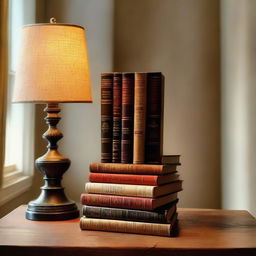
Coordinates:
[136,179]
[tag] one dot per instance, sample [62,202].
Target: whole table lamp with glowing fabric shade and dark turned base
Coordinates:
[53,68]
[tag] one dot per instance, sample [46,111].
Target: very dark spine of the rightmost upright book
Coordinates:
[153,147]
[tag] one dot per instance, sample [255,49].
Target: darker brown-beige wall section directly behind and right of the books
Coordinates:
[181,39]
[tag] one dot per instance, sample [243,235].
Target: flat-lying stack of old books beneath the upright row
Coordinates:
[132,198]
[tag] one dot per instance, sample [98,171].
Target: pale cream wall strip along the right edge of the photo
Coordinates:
[238,22]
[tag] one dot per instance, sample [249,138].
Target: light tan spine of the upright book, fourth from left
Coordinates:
[140,97]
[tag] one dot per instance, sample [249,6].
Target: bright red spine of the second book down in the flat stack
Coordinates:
[124,179]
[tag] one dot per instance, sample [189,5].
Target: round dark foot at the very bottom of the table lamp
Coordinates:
[51,212]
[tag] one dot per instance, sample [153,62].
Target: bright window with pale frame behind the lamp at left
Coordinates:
[19,149]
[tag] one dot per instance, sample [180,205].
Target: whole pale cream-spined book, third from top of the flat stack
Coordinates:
[133,190]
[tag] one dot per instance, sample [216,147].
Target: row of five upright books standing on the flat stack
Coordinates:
[131,117]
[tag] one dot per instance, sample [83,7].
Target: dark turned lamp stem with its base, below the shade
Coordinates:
[52,203]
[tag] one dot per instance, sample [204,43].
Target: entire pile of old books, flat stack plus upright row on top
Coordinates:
[134,188]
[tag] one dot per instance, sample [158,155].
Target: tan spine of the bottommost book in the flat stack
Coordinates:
[125,226]
